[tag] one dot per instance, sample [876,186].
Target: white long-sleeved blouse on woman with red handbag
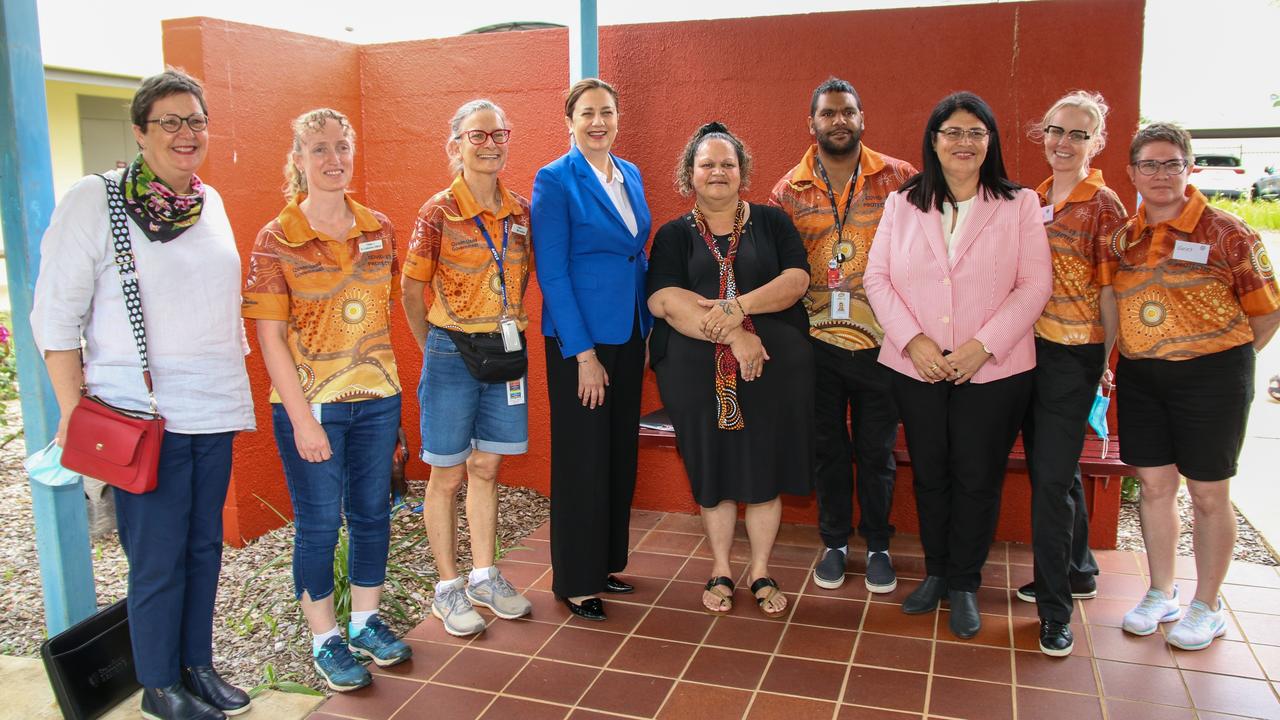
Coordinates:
[191,306]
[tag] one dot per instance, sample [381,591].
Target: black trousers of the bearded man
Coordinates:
[853,389]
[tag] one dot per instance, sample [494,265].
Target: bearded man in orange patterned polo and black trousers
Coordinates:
[835,197]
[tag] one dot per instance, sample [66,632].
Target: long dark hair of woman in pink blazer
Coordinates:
[929,190]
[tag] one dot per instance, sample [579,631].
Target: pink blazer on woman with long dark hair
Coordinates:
[994,290]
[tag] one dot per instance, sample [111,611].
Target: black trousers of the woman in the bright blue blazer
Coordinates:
[593,467]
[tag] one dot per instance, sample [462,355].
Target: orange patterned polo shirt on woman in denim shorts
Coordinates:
[450,253]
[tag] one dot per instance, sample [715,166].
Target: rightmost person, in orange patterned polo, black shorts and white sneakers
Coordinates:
[1199,299]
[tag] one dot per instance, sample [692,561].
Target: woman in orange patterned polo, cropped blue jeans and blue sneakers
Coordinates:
[321,289]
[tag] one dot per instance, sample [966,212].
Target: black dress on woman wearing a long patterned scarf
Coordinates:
[774,453]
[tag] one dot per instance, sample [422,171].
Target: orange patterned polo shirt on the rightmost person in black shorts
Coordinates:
[1178,309]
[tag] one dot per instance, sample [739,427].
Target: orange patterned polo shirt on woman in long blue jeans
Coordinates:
[336,298]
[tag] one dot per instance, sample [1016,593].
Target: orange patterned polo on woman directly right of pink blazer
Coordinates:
[1080,239]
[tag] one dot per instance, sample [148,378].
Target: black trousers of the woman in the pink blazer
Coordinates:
[959,439]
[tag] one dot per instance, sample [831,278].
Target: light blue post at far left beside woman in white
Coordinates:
[28,197]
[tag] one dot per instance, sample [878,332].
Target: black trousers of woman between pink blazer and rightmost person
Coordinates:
[1064,385]
